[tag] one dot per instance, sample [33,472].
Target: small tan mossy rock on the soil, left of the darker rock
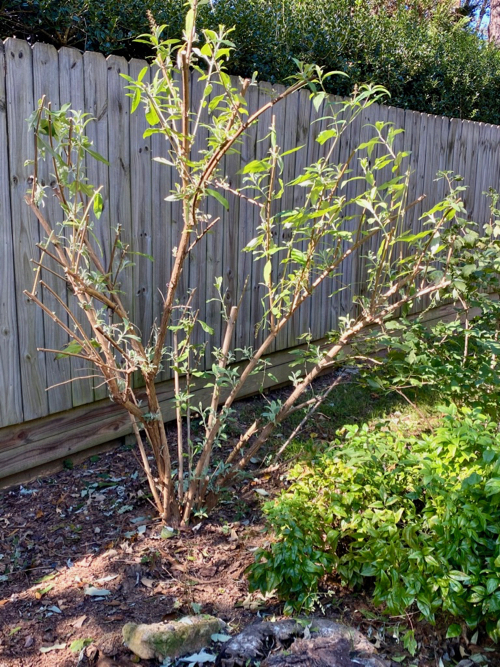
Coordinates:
[172,639]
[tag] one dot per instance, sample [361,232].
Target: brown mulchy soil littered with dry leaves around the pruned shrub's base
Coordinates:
[91,527]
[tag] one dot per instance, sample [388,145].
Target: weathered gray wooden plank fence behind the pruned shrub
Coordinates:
[134,191]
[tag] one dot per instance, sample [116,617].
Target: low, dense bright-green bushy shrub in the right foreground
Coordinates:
[418,518]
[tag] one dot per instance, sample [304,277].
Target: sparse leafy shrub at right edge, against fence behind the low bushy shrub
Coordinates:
[458,358]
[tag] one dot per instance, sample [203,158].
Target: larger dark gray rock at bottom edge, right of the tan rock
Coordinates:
[313,642]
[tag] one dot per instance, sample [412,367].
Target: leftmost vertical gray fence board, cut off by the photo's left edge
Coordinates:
[11,409]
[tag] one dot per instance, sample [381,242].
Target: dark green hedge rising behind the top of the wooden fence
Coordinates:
[429,62]
